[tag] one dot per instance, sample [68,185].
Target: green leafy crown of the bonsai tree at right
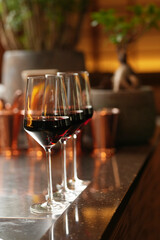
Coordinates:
[125,29]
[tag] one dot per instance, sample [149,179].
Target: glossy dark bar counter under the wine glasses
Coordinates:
[97,213]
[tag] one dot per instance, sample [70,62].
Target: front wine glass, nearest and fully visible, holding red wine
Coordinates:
[46,120]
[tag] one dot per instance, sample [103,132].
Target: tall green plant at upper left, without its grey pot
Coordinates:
[40,24]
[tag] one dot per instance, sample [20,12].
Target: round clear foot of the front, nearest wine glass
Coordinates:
[43,208]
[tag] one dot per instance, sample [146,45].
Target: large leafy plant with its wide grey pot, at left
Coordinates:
[39,34]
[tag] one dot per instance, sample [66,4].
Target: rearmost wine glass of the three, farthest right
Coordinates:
[76,183]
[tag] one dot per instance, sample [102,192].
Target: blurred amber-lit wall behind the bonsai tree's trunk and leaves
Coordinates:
[100,55]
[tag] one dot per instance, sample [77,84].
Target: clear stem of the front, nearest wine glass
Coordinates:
[49,176]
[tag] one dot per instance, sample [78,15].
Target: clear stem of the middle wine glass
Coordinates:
[64,166]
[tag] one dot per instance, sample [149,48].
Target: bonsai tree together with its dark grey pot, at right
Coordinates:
[137,107]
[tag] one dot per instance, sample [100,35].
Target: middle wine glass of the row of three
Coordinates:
[74,97]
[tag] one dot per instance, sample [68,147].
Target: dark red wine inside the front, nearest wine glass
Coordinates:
[47,130]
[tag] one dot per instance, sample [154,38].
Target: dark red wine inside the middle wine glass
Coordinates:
[77,119]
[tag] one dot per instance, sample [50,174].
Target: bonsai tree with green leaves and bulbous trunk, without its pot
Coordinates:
[123,30]
